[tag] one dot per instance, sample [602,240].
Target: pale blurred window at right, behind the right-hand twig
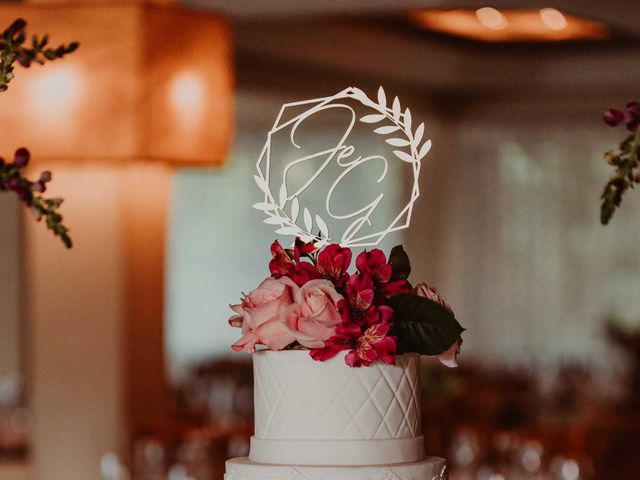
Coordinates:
[540,274]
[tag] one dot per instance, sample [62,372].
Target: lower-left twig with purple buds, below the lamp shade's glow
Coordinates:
[11,178]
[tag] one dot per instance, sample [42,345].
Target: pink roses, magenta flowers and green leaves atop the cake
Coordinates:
[311,301]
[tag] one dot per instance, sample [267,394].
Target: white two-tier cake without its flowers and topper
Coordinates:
[328,421]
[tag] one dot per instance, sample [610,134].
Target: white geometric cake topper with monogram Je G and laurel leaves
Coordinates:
[283,208]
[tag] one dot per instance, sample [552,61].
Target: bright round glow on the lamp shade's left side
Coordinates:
[55,93]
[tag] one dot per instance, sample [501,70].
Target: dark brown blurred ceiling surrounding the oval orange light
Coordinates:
[372,42]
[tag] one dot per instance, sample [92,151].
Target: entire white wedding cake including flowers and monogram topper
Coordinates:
[336,353]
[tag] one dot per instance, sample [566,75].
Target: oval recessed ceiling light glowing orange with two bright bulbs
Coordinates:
[491,25]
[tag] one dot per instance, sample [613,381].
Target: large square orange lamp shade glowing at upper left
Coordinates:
[148,82]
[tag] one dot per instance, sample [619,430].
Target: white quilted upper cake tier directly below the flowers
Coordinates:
[297,398]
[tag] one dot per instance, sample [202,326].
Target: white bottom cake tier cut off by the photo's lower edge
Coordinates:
[432,468]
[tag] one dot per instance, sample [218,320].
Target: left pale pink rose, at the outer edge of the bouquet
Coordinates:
[259,316]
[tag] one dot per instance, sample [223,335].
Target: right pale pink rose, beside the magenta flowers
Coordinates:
[313,316]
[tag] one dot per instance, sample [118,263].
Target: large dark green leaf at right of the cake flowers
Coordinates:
[422,325]
